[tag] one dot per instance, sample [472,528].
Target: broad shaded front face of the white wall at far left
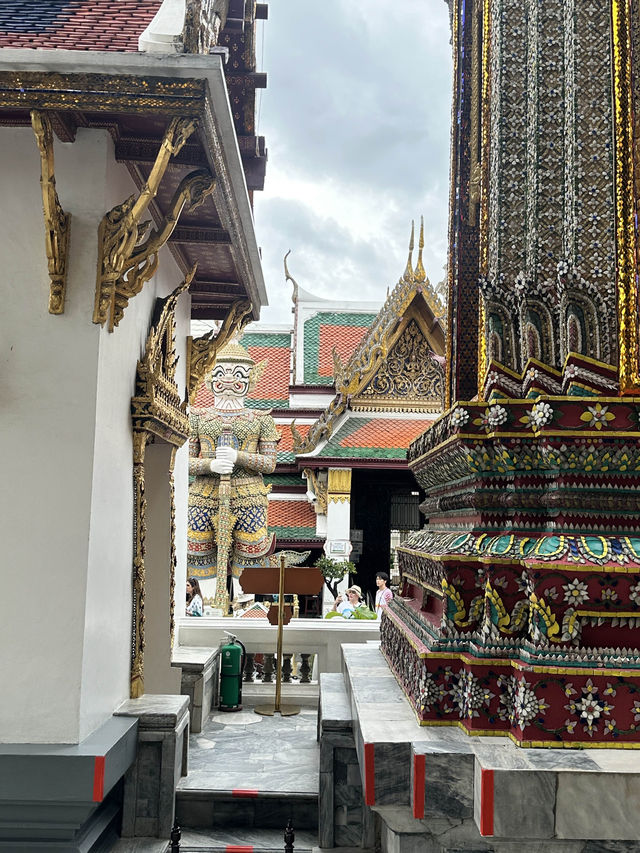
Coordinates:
[49,365]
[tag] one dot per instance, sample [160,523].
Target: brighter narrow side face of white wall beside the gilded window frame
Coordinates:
[106,663]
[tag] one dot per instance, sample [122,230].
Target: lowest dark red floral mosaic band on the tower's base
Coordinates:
[548,706]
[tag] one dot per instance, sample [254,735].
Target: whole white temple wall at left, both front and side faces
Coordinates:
[67,518]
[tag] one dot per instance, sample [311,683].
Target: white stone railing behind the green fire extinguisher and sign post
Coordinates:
[319,637]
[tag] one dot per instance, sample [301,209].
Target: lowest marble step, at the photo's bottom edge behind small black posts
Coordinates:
[244,840]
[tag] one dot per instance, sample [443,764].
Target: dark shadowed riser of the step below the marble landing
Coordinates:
[250,809]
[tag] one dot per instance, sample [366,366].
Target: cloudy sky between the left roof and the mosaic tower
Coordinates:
[356,116]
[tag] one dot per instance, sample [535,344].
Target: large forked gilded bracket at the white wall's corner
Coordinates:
[125,263]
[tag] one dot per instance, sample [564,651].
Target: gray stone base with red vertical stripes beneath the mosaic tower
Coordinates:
[436,789]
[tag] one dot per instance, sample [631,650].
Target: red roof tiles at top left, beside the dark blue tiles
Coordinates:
[90,25]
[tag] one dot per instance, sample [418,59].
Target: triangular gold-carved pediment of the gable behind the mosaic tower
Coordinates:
[408,379]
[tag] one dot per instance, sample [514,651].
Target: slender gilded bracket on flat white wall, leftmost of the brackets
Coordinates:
[57,222]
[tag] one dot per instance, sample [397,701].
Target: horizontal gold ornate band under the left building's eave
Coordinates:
[102,93]
